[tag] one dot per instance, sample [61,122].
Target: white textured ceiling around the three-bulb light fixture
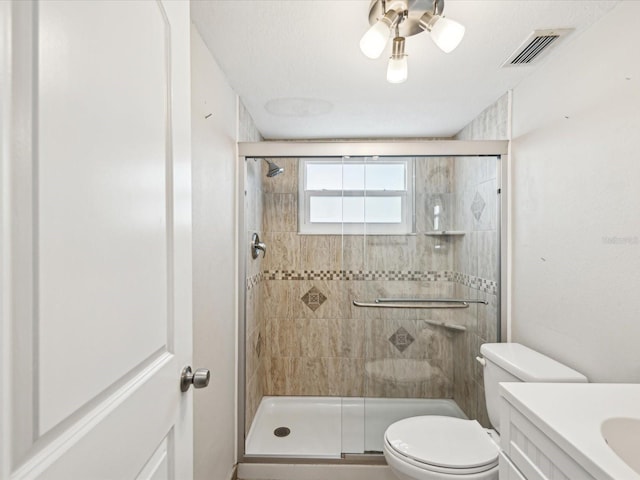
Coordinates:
[308,49]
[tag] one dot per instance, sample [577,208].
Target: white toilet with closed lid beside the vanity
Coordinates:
[446,448]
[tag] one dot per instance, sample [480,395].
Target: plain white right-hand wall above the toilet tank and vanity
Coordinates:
[576,192]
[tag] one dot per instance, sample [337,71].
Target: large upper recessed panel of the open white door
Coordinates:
[102,202]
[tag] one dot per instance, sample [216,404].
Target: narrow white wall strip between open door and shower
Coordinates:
[214,131]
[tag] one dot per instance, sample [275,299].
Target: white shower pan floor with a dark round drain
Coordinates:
[327,427]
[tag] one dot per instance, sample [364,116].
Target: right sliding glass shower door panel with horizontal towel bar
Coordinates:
[421,360]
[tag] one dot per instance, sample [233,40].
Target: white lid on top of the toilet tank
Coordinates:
[529,365]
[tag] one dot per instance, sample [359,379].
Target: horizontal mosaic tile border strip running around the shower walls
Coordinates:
[477,283]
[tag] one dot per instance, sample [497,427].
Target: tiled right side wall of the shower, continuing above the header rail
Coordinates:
[476,256]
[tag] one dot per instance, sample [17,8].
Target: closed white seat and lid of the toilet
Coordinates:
[442,444]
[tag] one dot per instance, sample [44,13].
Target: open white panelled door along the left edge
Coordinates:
[96,240]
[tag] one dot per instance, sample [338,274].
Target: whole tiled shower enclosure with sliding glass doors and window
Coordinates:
[376,283]
